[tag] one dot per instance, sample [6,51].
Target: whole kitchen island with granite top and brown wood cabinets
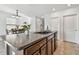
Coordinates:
[32,44]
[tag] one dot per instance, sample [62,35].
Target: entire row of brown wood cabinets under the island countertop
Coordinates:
[45,46]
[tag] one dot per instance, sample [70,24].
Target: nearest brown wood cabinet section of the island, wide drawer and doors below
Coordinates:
[37,48]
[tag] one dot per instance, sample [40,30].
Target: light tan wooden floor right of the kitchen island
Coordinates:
[67,48]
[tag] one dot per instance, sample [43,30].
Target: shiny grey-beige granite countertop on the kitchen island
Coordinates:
[21,41]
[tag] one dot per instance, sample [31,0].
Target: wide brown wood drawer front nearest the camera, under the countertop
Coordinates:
[35,47]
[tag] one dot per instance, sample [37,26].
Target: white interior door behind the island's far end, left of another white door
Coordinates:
[55,25]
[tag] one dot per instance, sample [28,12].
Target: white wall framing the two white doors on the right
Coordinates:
[60,14]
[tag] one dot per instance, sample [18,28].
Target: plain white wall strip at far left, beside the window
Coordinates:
[3,17]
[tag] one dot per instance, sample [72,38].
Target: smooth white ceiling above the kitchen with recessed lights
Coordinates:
[39,9]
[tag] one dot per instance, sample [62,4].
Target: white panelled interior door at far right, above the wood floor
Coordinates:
[70,28]
